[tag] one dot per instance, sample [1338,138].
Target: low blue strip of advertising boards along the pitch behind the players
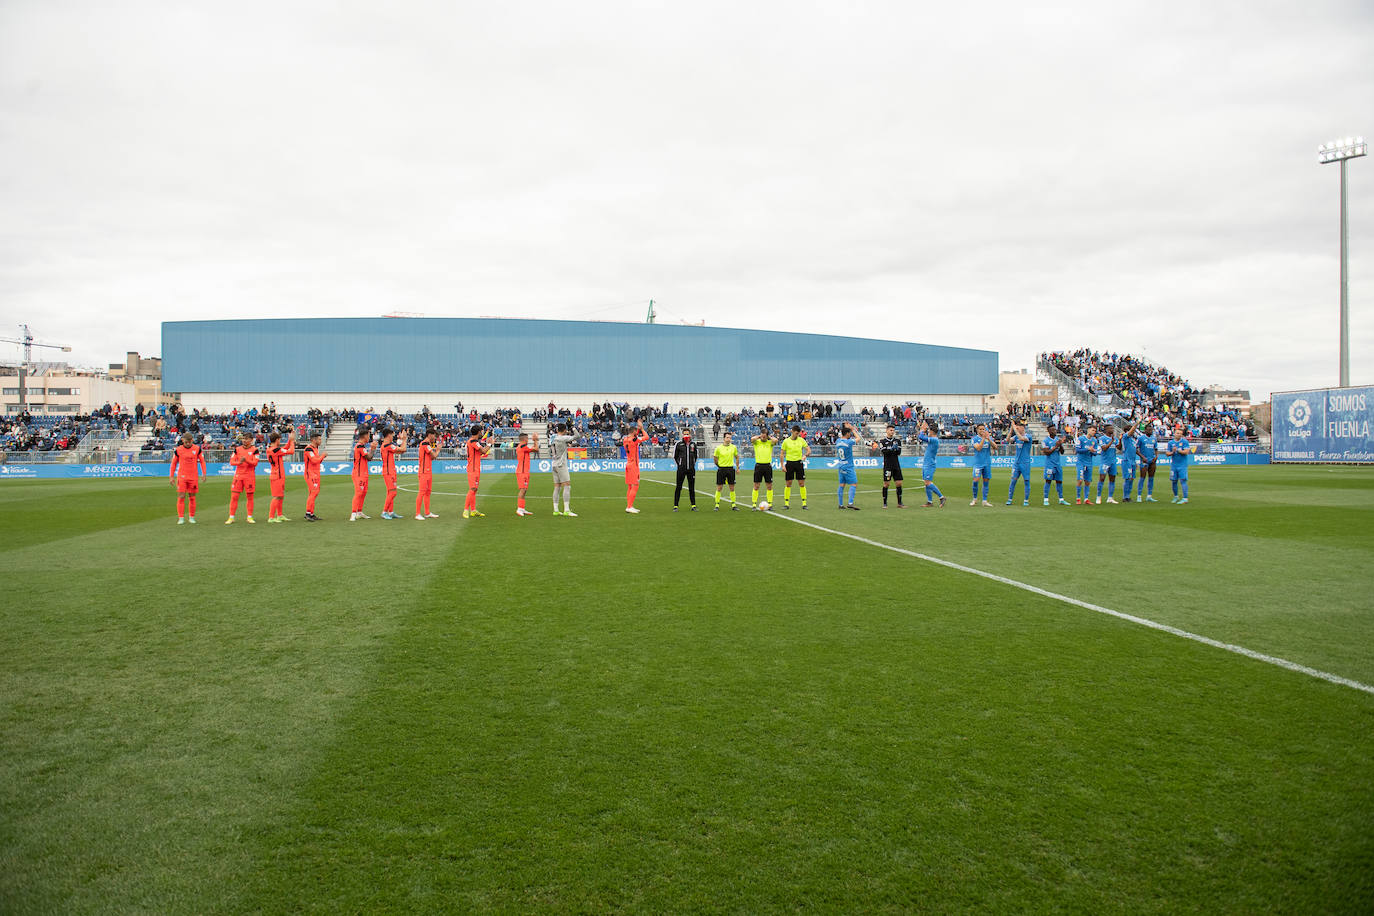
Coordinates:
[578,466]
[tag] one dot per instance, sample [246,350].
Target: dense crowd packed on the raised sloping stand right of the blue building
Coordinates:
[1153,395]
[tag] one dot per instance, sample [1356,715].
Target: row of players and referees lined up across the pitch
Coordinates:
[1138,453]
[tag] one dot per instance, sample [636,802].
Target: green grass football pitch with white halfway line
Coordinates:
[688,712]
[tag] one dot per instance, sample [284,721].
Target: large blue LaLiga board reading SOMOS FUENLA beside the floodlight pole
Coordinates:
[1325,425]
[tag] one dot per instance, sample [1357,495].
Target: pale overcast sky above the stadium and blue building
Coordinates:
[1009,176]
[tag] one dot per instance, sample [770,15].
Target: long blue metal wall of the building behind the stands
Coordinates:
[510,355]
